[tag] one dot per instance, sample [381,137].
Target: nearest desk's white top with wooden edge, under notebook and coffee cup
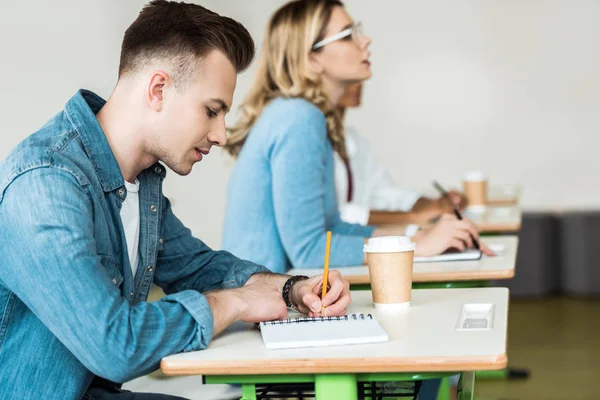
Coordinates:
[422,338]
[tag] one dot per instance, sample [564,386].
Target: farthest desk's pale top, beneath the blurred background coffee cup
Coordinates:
[496,218]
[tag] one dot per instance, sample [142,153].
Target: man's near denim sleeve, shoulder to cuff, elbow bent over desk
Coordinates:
[50,262]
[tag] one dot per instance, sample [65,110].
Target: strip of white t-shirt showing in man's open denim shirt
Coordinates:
[130,217]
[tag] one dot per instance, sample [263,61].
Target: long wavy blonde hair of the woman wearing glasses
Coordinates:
[283,70]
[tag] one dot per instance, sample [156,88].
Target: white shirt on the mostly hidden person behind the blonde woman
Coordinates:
[373,188]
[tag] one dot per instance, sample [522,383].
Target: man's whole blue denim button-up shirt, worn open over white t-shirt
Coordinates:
[70,307]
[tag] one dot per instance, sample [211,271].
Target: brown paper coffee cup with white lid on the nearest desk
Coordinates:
[390,261]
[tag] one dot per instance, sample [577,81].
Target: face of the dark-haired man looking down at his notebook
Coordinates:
[192,118]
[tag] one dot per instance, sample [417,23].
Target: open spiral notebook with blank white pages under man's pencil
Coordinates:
[322,331]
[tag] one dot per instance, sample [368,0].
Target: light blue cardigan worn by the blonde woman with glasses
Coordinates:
[281,196]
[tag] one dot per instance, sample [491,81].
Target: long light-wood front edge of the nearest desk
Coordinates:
[339,365]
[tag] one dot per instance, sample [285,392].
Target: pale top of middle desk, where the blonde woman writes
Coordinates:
[501,266]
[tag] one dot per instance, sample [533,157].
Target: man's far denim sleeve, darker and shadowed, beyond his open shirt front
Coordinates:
[185,262]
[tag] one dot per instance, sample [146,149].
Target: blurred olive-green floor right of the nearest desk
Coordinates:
[558,340]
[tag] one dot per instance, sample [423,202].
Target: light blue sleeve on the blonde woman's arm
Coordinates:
[298,165]
